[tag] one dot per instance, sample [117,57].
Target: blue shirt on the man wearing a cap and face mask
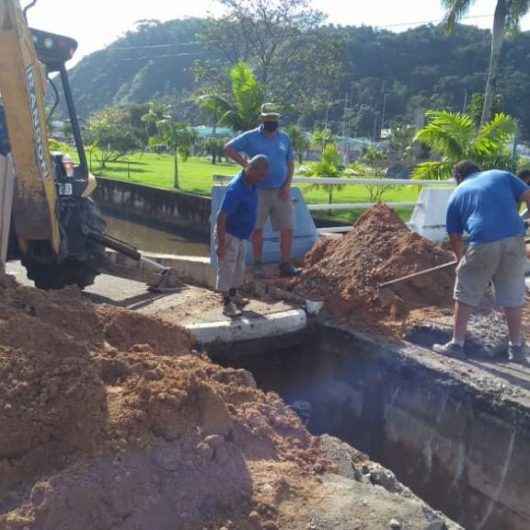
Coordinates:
[278,150]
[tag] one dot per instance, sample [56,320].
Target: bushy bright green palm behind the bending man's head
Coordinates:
[454,137]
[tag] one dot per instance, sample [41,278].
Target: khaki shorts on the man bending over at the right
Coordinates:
[501,262]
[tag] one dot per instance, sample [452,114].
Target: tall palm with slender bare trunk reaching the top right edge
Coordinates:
[508,14]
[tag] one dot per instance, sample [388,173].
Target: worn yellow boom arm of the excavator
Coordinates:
[22,85]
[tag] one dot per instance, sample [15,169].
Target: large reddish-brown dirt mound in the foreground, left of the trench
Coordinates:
[108,419]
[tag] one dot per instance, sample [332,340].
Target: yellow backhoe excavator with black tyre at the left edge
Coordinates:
[47,218]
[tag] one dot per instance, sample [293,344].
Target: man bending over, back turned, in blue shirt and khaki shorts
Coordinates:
[485,206]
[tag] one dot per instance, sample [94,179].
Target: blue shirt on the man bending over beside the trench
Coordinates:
[485,206]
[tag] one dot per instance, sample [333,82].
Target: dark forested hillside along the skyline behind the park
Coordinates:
[424,67]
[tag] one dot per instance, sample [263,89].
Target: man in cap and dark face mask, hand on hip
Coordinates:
[274,197]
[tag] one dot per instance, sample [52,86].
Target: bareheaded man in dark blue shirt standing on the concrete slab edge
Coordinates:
[235,224]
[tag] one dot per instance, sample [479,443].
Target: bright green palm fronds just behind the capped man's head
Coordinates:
[239,110]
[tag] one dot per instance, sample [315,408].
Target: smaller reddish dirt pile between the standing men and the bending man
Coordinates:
[346,272]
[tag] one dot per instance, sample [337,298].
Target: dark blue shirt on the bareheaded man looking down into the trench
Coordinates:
[240,205]
